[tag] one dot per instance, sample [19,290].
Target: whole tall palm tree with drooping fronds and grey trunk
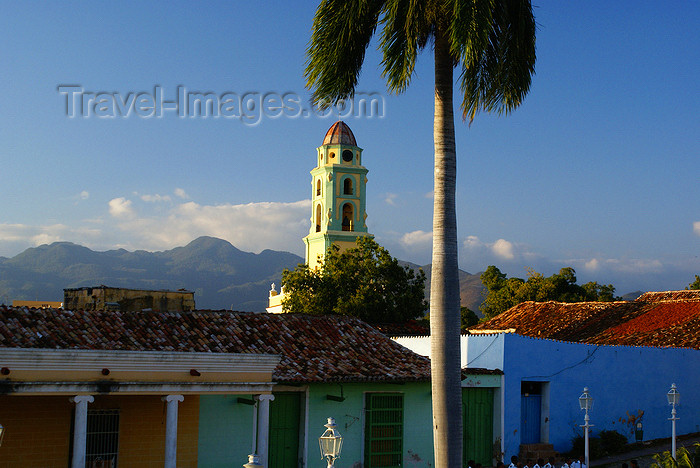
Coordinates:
[493,44]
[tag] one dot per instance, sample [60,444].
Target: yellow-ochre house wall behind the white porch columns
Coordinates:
[38,430]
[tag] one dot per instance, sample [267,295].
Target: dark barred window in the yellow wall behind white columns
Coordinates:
[102,444]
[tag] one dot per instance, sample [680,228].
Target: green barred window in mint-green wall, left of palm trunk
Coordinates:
[383,430]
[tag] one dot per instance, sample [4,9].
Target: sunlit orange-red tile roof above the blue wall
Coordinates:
[663,319]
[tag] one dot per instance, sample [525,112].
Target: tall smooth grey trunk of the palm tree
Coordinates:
[444,284]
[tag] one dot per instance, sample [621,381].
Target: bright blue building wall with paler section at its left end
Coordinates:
[623,381]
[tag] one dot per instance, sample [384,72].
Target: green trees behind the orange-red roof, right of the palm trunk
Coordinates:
[504,293]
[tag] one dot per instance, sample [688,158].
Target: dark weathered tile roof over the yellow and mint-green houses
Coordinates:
[313,349]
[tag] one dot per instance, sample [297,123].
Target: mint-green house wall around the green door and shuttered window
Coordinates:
[226,427]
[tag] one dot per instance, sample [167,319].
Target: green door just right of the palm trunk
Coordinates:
[477,420]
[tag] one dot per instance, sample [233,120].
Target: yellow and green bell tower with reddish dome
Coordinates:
[338,195]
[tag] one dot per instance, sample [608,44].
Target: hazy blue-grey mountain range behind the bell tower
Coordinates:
[221,276]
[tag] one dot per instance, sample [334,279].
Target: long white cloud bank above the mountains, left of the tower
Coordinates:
[126,224]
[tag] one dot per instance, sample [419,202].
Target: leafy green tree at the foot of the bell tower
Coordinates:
[365,282]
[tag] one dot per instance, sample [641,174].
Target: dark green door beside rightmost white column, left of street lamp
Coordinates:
[285,420]
